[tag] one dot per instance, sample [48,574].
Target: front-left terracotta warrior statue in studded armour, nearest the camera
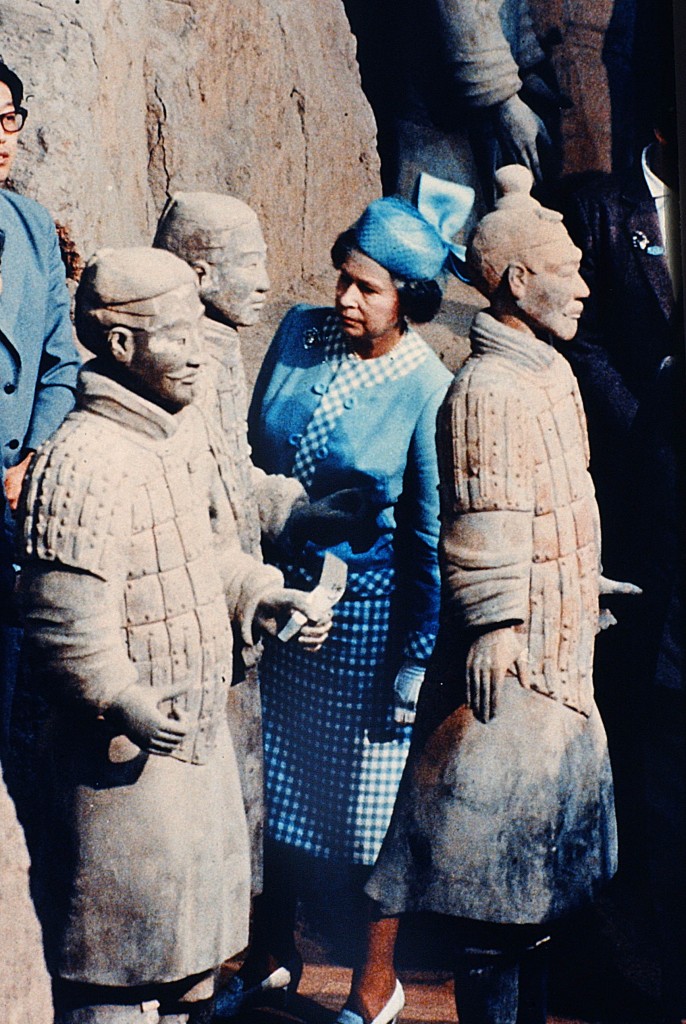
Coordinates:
[133,566]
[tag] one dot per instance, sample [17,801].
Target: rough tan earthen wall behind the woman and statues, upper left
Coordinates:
[133,100]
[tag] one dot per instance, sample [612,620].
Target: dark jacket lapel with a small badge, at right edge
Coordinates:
[642,227]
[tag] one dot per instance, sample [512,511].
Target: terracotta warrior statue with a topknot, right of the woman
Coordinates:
[505,822]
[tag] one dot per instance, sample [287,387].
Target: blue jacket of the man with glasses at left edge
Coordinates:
[38,359]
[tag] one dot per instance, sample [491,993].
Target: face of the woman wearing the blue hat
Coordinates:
[367,302]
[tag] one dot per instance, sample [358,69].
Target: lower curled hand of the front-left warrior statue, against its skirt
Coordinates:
[138,711]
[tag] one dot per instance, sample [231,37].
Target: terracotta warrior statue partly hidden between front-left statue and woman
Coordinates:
[221,238]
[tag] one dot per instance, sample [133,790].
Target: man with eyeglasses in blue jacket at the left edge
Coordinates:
[38,358]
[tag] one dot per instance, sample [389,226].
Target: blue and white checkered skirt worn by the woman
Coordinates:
[333,756]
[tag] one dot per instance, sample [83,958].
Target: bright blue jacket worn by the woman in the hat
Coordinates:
[385,440]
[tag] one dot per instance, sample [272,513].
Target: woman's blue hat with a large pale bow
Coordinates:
[416,242]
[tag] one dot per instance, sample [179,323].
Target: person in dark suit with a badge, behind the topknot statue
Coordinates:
[633,391]
